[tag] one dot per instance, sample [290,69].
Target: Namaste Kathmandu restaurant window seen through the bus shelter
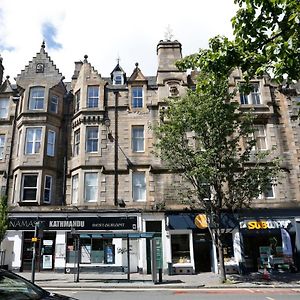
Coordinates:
[93,250]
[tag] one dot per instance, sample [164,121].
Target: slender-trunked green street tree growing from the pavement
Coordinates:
[208,141]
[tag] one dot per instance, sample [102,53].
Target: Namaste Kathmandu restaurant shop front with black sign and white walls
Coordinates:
[97,241]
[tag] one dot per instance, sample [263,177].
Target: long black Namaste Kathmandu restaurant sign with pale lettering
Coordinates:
[80,223]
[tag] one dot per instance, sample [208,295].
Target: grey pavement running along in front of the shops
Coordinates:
[90,281]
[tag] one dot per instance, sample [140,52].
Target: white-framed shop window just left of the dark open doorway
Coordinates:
[180,247]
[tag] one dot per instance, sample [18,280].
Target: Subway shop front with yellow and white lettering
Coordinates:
[268,243]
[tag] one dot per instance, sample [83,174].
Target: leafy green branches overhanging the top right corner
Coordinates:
[267,35]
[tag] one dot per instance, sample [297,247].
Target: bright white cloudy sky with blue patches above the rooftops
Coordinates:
[106,30]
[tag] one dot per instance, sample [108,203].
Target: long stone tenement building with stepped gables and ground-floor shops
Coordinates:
[77,166]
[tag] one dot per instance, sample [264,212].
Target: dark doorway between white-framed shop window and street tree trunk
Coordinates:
[202,252]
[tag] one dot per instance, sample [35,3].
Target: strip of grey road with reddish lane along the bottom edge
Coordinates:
[186,294]
